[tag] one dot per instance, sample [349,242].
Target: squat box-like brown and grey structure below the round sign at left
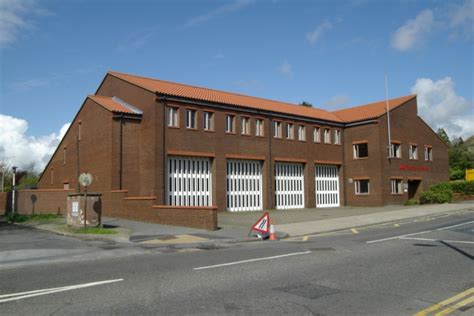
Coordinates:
[80,209]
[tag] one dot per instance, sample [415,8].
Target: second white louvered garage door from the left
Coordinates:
[244,185]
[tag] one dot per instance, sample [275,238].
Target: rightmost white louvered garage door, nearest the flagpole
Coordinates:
[327,186]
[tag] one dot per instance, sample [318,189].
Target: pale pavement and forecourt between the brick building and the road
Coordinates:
[234,227]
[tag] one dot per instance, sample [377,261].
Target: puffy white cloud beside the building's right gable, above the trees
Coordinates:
[440,106]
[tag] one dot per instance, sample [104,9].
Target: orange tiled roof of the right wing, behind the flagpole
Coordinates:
[370,111]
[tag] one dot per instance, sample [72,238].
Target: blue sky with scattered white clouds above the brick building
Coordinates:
[333,54]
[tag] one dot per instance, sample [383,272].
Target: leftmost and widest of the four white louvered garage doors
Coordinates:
[189,181]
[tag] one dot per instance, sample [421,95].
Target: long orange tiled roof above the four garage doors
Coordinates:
[210,95]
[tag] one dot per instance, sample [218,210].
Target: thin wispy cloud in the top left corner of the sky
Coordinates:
[14,18]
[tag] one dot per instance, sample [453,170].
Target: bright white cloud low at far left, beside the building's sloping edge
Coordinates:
[26,152]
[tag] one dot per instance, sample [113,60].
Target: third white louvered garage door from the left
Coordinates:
[289,185]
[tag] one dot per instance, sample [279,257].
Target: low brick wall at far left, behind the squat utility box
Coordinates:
[42,201]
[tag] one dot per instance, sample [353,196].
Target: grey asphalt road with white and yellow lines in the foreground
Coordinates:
[394,269]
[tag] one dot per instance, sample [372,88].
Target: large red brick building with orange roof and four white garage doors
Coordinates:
[154,147]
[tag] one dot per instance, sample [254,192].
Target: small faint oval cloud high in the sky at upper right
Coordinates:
[412,32]
